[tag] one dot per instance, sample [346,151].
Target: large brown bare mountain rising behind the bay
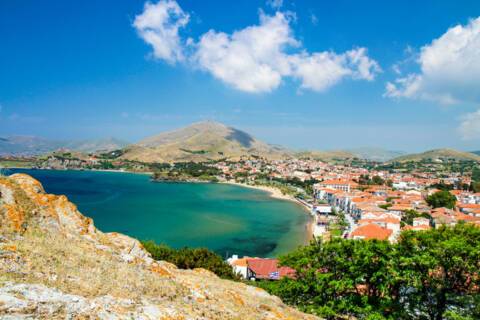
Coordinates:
[201,141]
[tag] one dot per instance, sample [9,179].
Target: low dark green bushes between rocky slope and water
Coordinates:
[190,258]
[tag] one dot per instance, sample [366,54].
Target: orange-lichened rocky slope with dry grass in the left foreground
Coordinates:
[54,264]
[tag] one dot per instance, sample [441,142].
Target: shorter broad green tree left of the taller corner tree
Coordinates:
[340,277]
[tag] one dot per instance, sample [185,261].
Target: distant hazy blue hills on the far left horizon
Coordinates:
[32,146]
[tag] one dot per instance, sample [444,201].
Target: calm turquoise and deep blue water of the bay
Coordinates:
[225,218]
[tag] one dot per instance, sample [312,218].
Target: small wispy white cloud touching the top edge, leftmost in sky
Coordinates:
[158,25]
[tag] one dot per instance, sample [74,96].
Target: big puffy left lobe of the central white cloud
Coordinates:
[250,59]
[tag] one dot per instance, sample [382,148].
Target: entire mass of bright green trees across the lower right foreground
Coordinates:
[427,275]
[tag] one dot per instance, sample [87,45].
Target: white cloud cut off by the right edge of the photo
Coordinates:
[450,69]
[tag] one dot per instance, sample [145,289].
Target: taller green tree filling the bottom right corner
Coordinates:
[440,270]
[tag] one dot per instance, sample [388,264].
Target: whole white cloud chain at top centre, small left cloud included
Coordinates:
[256,58]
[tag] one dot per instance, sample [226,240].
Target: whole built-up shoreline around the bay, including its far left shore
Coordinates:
[351,199]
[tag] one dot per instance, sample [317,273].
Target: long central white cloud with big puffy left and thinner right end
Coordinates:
[255,59]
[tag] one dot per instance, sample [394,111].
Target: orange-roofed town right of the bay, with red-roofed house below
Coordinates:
[359,203]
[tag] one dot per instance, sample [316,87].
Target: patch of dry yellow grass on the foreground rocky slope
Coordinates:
[75,266]
